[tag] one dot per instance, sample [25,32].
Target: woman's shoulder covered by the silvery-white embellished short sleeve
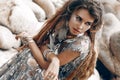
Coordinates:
[80,44]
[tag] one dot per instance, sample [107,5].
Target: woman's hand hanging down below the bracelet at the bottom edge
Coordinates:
[53,70]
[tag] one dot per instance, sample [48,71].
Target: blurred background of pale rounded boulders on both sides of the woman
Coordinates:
[29,15]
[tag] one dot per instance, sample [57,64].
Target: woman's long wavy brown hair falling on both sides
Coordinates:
[94,7]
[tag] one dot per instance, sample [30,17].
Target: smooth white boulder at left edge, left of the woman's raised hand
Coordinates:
[7,39]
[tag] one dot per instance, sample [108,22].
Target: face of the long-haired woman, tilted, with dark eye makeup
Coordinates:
[80,21]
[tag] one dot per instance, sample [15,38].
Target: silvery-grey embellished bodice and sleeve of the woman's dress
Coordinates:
[80,44]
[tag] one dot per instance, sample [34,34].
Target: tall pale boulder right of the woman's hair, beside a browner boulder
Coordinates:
[111,26]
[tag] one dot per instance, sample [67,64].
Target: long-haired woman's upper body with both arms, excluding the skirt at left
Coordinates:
[64,48]
